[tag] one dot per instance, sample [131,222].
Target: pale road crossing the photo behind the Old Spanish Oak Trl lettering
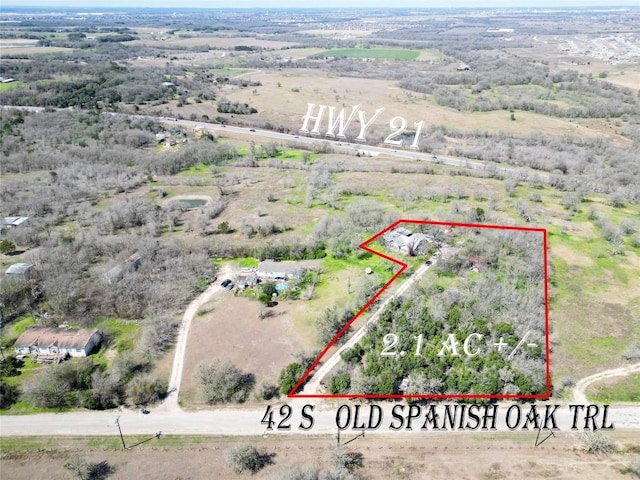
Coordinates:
[246,422]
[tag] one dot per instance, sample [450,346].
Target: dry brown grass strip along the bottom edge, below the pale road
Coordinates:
[496,456]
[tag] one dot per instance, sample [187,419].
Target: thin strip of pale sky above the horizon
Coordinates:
[321,3]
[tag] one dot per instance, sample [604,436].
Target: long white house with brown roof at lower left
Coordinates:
[57,341]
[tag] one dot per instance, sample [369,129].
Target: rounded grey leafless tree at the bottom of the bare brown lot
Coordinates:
[224,382]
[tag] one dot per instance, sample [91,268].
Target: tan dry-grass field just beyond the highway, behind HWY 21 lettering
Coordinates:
[284,105]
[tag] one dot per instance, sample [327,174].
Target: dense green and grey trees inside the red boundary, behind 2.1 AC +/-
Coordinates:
[503,301]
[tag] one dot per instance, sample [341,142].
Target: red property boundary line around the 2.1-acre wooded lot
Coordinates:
[403,266]
